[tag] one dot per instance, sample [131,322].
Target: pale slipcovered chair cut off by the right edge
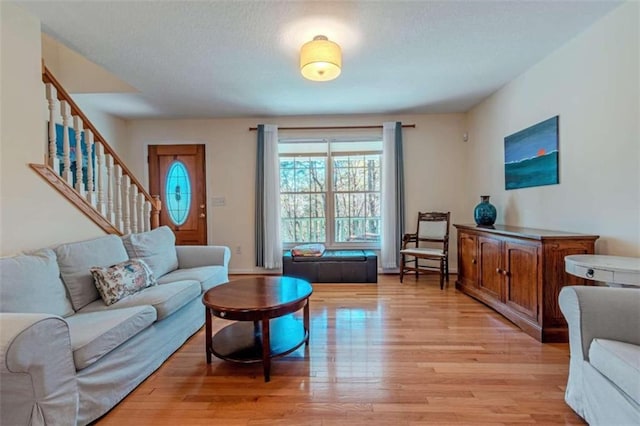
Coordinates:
[604,339]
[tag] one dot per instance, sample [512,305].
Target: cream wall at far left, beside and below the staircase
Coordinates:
[32,214]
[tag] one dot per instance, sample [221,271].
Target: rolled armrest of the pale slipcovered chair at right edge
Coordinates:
[602,312]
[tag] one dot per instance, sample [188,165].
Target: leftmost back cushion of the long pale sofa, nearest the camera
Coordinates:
[31,284]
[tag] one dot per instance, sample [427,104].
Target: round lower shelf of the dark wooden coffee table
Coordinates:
[242,341]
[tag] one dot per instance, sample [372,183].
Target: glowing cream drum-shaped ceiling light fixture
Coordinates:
[320,59]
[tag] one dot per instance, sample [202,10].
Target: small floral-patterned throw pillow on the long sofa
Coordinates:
[122,279]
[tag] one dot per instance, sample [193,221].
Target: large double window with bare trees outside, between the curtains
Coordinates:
[330,191]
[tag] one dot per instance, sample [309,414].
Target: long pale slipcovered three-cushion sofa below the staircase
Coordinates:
[66,357]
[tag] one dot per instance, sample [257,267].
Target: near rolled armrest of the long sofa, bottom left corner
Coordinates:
[37,371]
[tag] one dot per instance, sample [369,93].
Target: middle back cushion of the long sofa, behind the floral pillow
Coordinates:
[75,259]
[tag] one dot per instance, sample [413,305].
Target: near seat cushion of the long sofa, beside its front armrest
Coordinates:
[95,334]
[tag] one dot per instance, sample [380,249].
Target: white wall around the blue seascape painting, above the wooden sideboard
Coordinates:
[592,83]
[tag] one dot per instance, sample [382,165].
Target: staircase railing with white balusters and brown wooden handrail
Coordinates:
[82,166]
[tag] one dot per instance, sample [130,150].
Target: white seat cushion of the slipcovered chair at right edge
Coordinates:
[619,362]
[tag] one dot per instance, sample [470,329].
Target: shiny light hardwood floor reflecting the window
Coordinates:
[385,354]
